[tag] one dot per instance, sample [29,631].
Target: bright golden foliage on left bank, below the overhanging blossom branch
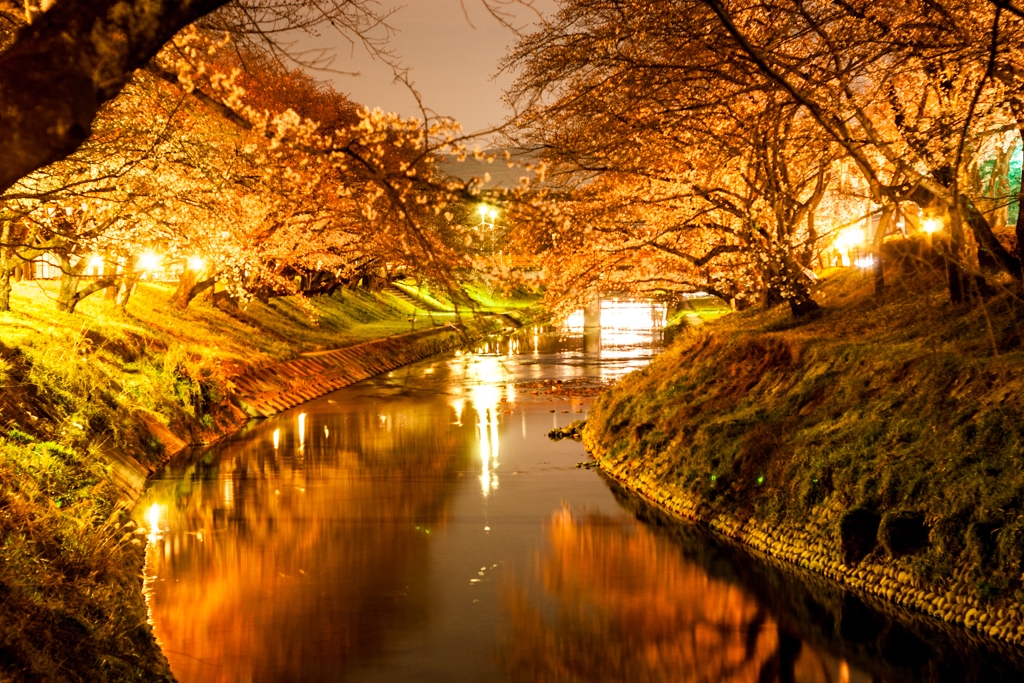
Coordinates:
[163,173]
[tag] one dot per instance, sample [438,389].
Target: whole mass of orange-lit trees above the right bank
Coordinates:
[635,96]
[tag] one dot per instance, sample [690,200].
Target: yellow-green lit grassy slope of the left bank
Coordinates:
[77,394]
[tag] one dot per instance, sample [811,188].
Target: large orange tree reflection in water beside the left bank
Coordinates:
[296,553]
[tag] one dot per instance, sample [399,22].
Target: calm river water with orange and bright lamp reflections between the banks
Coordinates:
[421,527]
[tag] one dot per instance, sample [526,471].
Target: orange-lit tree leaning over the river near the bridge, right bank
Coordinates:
[678,174]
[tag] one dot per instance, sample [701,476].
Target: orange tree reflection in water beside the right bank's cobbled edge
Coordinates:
[629,608]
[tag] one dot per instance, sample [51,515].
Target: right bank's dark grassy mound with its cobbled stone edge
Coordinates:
[881,444]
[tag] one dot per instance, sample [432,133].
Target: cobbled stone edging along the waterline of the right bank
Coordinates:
[813,548]
